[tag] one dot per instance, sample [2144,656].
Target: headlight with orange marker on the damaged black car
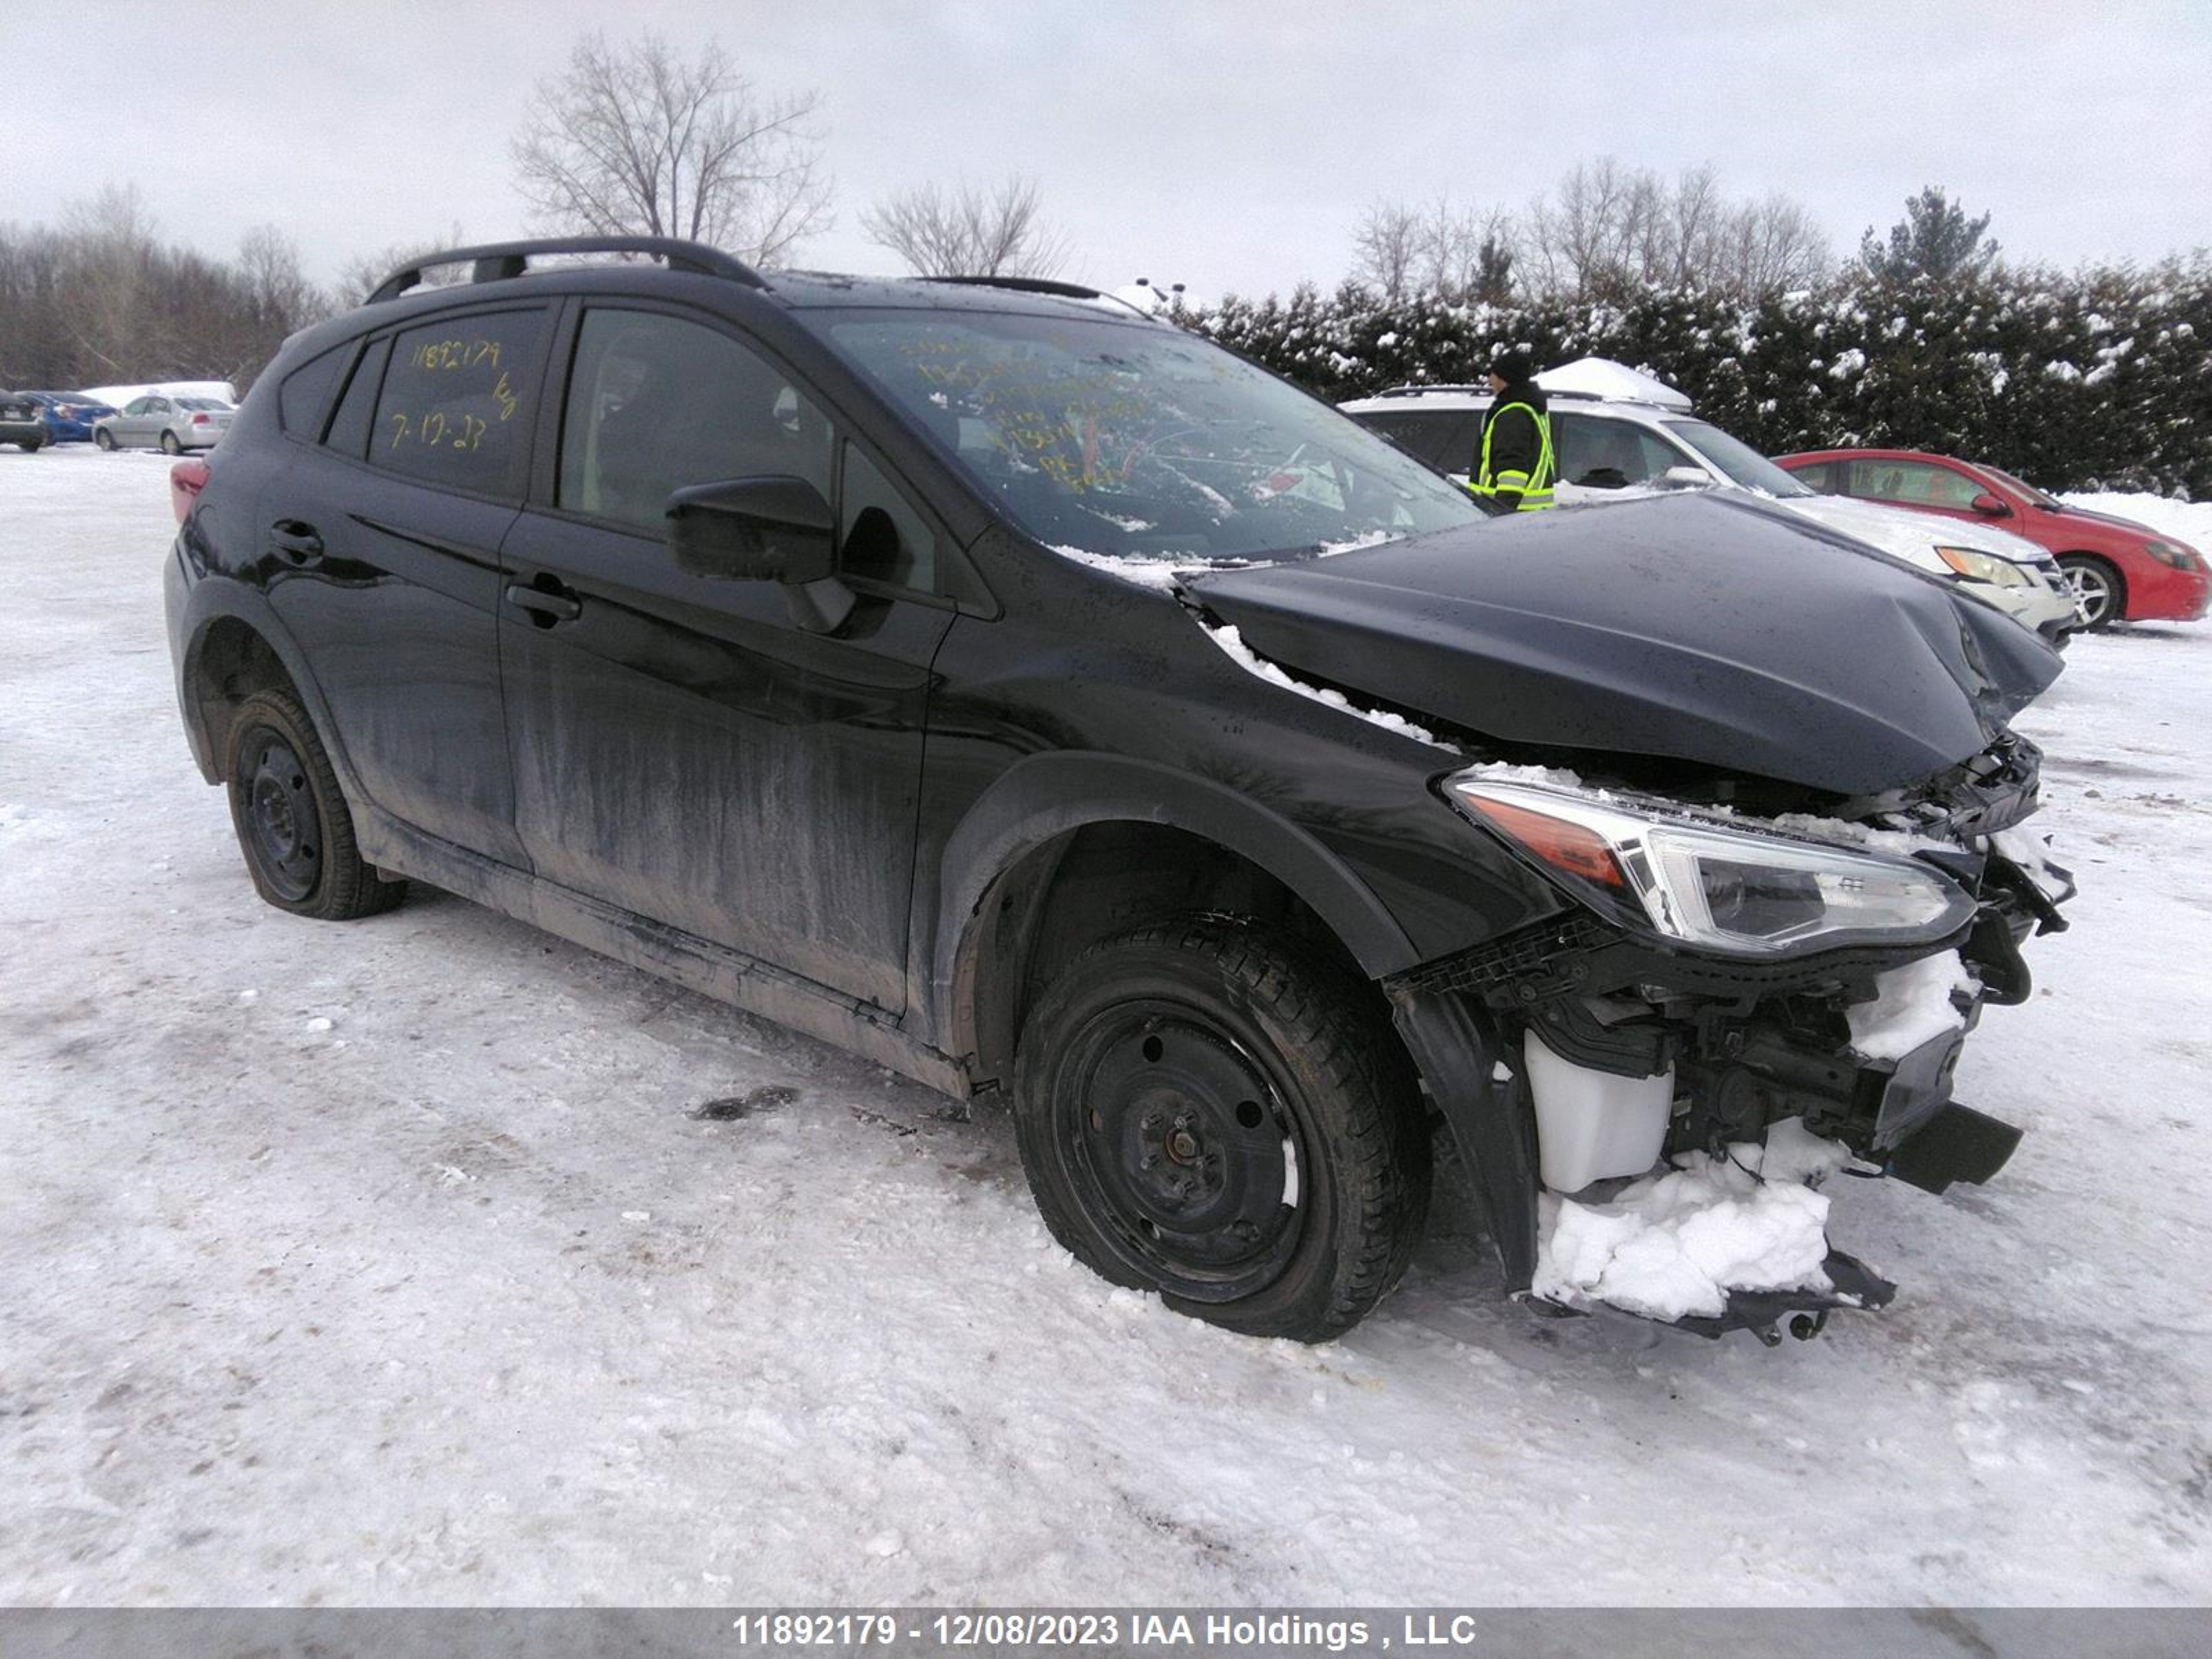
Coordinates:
[1713,886]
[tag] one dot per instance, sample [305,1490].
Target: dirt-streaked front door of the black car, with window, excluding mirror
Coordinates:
[682,747]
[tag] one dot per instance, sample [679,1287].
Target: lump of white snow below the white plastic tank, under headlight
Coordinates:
[1678,1242]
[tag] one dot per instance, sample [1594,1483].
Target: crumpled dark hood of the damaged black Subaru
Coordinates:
[1702,627]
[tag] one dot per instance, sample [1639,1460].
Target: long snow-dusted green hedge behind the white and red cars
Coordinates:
[2085,382]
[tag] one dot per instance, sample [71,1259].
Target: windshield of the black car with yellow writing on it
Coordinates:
[1140,441]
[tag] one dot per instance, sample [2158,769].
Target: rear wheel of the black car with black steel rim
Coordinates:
[291,817]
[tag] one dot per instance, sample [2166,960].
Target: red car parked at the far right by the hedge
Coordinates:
[2120,572]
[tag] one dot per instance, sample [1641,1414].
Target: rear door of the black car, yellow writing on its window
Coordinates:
[382,545]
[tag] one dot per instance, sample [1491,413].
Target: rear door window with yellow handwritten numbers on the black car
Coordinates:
[457,401]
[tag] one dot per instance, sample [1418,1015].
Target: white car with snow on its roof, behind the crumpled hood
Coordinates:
[1631,437]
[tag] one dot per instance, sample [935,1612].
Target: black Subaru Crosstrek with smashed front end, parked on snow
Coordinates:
[1061,711]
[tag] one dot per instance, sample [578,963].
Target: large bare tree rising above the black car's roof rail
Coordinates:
[640,140]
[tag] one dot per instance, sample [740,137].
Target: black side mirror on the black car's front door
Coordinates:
[764,530]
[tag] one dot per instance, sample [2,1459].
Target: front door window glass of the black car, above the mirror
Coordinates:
[658,404]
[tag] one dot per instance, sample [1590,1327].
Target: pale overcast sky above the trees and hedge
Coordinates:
[1229,147]
